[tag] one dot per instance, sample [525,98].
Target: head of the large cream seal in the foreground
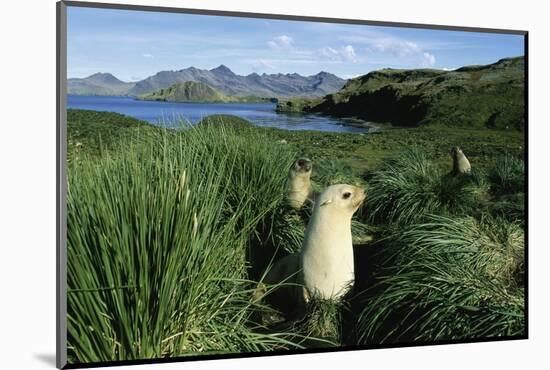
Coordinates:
[341,198]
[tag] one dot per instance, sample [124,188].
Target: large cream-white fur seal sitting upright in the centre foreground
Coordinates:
[324,267]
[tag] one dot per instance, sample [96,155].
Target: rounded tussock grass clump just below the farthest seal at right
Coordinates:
[409,186]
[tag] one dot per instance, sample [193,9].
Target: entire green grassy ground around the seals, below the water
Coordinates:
[168,230]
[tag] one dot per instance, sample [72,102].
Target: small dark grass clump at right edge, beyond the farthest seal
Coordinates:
[507,175]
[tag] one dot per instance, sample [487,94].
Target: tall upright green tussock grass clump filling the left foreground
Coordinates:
[158,234]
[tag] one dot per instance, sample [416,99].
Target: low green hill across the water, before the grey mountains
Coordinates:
[197,92]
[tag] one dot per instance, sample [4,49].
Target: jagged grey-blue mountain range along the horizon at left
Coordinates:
[221,78]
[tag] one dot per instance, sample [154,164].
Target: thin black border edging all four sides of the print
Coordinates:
[61,357]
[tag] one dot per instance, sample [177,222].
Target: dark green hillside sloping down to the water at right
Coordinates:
[490,96]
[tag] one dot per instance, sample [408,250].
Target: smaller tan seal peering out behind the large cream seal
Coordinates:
[298,184]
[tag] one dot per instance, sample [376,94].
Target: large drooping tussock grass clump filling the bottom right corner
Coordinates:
[448,279]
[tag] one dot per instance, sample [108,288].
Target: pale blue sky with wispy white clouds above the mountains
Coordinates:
[133,45]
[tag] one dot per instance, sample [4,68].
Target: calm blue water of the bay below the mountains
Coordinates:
[166,113]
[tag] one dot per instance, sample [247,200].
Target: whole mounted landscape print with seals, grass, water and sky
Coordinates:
[241,184]
